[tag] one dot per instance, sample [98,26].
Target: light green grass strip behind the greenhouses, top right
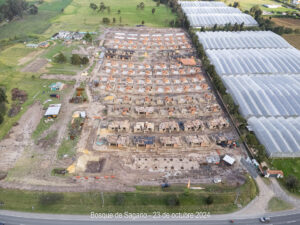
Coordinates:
[248,4]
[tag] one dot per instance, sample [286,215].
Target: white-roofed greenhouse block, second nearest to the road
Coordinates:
[265,95]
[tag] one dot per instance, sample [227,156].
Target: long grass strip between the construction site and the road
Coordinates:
[144,199]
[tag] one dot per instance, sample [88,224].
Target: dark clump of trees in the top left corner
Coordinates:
[16,8]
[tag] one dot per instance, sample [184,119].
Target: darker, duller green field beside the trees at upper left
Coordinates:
[34,24]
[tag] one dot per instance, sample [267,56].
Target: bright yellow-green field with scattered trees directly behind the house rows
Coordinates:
[79,16]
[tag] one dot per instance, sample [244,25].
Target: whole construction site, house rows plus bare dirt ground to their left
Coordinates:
[145,115]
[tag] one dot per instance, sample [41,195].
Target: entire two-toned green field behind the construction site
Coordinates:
[78,16]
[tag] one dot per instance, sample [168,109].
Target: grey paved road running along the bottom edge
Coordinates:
[43,219]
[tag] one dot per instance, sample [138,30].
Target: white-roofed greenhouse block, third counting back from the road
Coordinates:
[255,61]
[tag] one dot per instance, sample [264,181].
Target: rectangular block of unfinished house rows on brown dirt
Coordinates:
[154,116]
